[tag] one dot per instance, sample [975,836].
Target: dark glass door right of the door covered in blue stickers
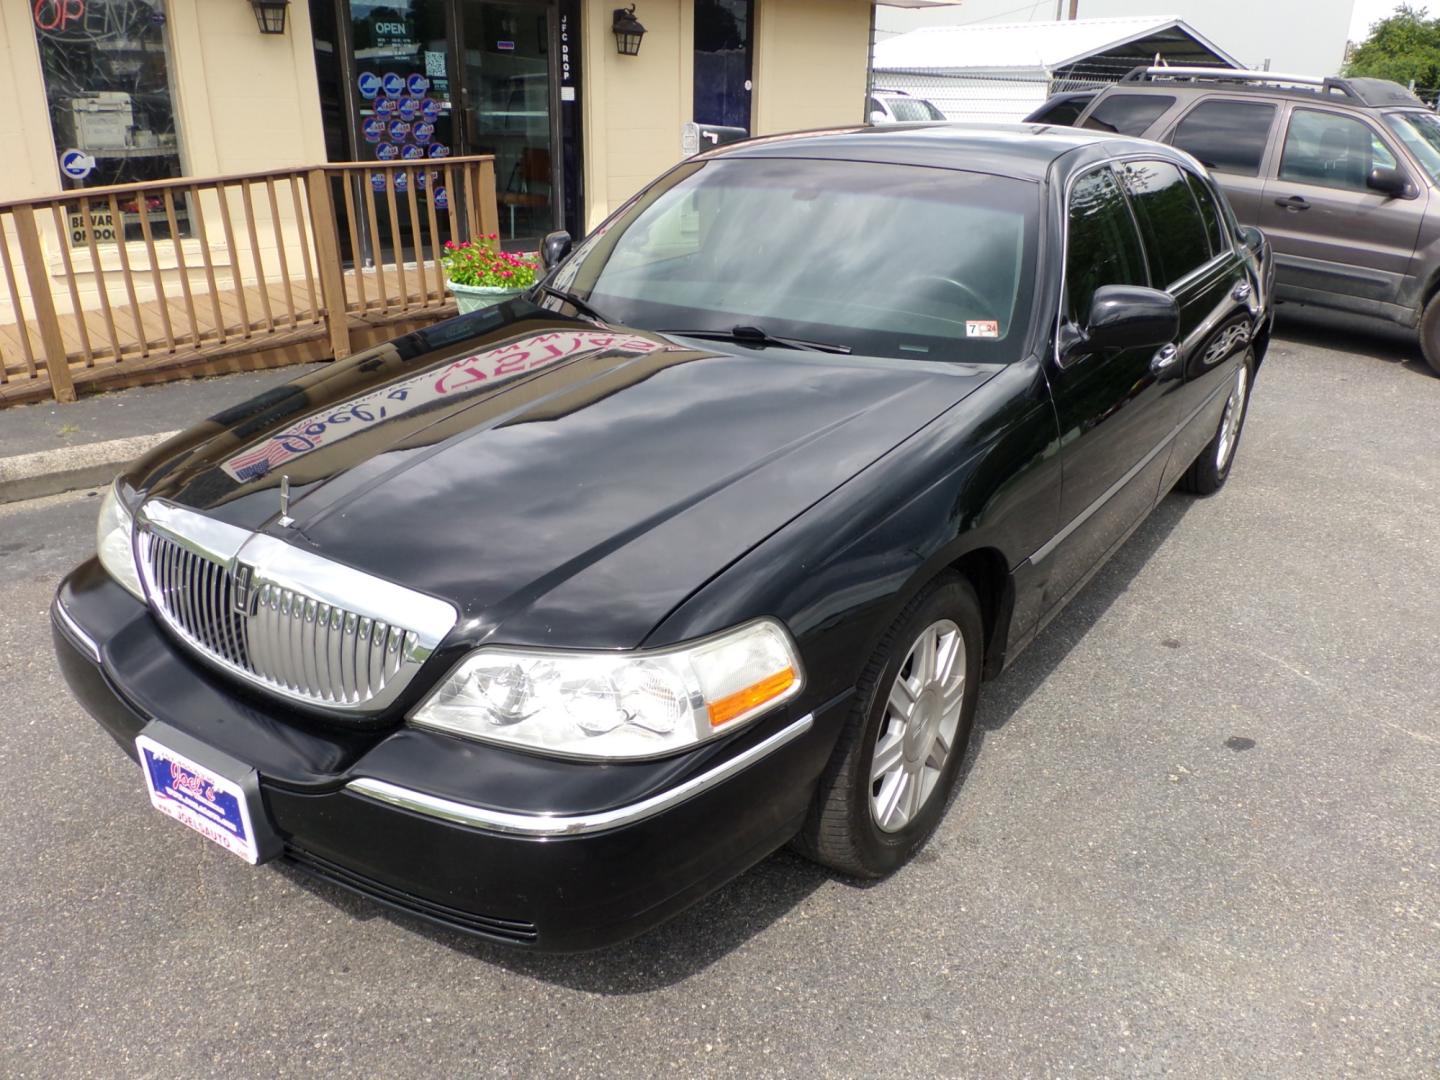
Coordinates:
[508,91]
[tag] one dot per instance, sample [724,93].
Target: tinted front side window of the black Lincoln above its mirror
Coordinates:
[1102,247]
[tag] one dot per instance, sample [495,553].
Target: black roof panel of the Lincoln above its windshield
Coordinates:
[1025,152]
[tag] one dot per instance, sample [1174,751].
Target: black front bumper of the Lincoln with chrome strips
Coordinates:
[557,856]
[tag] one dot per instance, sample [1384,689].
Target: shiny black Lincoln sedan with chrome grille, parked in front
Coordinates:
[549,620]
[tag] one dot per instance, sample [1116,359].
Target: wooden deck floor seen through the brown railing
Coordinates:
[234,330]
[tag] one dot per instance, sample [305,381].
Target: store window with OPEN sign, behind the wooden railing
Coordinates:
[107,83]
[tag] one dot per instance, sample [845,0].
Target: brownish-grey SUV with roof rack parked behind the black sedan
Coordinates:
[1341,175]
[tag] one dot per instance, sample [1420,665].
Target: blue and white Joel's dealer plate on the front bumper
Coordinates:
[214,806]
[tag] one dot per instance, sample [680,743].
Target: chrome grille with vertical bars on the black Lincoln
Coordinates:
[276,634]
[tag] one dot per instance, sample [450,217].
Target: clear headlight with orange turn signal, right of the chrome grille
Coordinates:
[617,705]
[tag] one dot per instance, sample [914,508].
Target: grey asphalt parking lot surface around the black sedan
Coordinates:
[1199,837]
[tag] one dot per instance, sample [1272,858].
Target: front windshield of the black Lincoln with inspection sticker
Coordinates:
[894,261]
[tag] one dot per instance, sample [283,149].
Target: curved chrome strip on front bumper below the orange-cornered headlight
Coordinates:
[577,824]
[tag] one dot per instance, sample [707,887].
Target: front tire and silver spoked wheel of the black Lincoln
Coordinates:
[870,829]
